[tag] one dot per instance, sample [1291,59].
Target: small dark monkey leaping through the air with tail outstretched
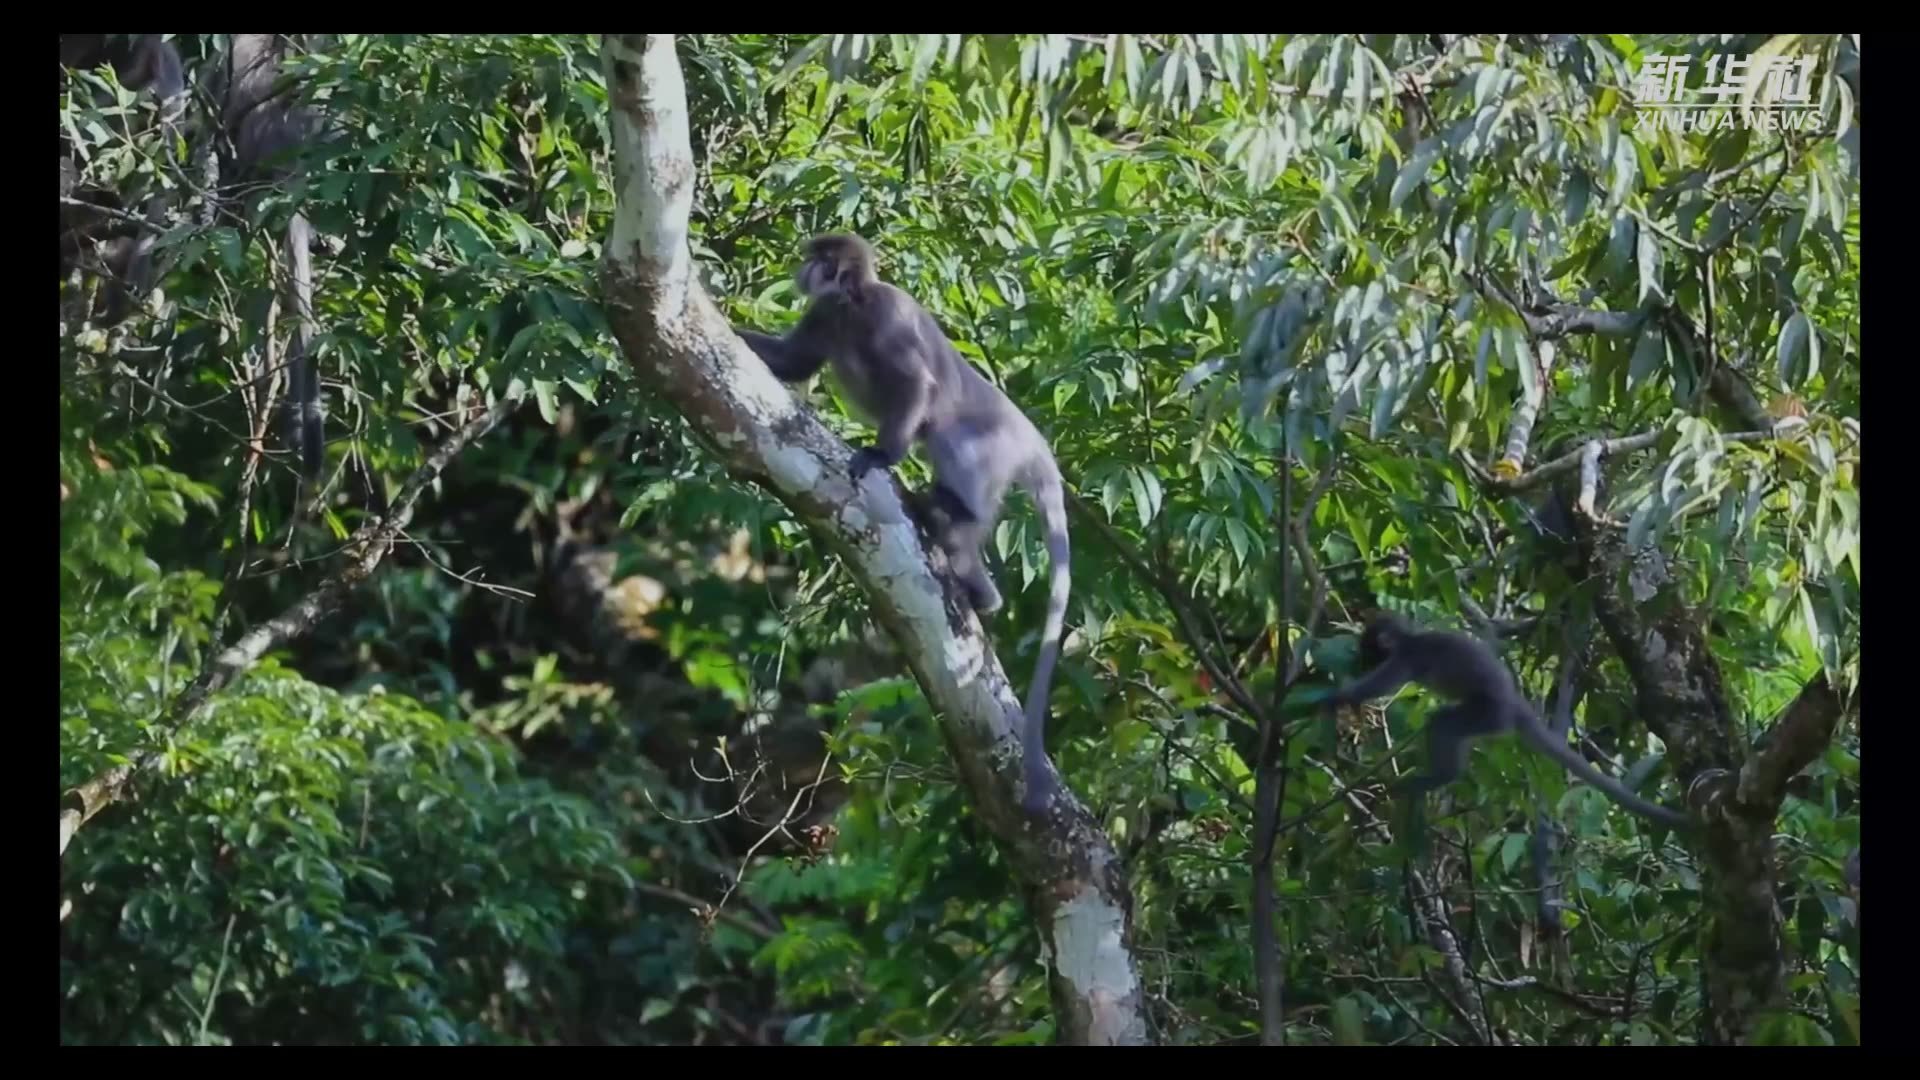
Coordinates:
[1485,702]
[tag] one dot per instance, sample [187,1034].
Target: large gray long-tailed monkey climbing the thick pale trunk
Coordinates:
[901,372]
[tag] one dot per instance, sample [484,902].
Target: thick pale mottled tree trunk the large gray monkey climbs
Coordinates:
[681,347]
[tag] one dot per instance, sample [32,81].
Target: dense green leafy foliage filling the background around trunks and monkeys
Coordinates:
[464,814]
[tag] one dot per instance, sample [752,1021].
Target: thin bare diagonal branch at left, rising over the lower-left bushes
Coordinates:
[370,547]
